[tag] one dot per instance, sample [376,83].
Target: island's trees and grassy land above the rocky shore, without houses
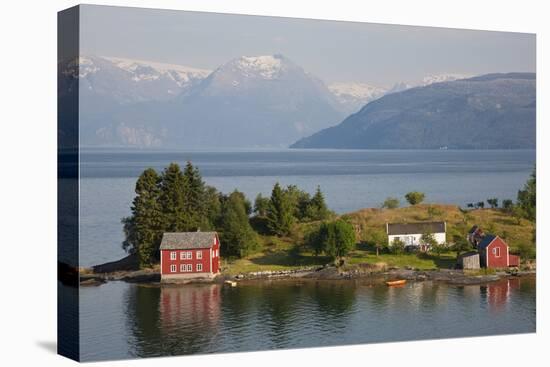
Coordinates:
[293,229]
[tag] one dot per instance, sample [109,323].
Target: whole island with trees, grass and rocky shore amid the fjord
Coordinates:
[293,233]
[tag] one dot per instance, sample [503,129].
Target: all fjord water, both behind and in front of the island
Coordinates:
[121,320]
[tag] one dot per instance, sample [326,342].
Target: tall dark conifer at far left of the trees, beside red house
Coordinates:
[144,228]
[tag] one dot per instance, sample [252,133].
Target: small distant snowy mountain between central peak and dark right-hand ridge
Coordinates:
[353,95]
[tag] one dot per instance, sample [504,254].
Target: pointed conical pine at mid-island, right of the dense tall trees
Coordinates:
[280,213]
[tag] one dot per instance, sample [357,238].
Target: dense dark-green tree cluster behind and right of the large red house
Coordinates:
[178,200]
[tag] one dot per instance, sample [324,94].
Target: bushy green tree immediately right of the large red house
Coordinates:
[237,236]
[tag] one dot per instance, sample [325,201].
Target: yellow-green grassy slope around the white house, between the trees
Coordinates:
[287,253]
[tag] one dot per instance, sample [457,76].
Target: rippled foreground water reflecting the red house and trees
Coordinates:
[120,320]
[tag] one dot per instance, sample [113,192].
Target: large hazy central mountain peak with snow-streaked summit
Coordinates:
[256,101]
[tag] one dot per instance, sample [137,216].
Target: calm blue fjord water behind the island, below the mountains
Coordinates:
[350,180]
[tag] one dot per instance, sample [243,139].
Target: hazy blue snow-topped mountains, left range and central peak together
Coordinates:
[251,101]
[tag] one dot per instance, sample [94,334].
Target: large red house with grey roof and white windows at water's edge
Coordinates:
[189,255]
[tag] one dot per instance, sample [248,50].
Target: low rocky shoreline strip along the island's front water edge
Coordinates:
[454,277]
